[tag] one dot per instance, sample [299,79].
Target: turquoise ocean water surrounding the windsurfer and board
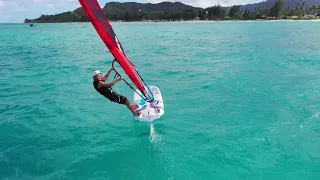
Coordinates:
[241,102]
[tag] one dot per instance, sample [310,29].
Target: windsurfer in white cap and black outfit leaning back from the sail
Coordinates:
[105,89]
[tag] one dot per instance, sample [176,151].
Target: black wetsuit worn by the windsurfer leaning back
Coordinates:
[110,94]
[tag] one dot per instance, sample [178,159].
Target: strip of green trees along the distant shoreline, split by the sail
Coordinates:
[211,13]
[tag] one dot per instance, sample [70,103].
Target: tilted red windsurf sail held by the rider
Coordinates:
[108,36]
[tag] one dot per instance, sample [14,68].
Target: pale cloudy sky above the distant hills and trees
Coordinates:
[15,11]
